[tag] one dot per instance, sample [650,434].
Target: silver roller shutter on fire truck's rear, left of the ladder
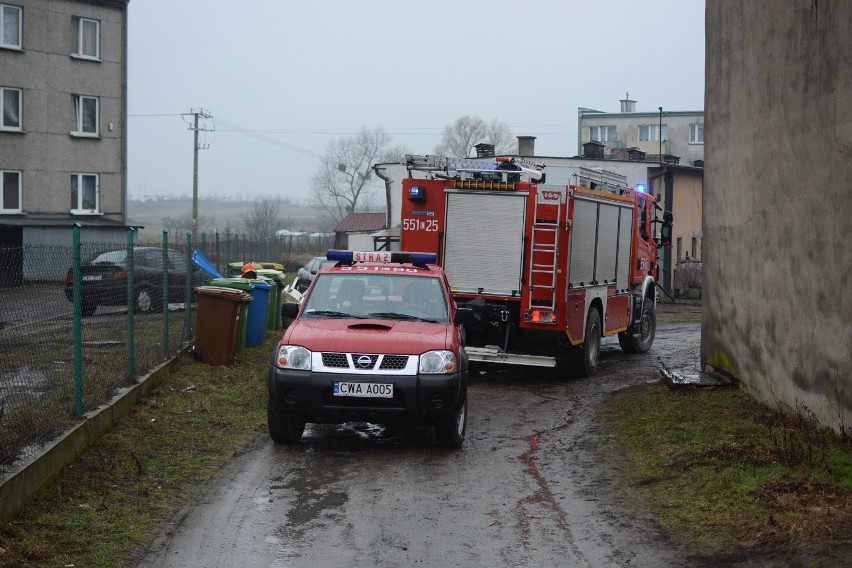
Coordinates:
[484,242]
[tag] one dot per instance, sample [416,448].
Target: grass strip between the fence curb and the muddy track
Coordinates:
[119,494]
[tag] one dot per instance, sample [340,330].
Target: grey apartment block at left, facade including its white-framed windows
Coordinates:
[63,88]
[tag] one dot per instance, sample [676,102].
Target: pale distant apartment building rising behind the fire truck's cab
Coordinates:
[664,136]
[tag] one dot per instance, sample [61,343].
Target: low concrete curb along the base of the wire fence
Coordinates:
[36,475]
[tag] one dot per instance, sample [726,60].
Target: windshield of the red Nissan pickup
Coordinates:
[379,296]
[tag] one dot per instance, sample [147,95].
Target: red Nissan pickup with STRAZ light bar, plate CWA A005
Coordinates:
[377,338]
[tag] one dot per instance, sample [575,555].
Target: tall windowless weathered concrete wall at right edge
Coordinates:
[778,201]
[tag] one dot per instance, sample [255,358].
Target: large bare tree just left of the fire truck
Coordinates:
[344,182]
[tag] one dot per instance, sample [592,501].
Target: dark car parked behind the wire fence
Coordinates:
[104,280]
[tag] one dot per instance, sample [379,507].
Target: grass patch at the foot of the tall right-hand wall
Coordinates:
[728,475]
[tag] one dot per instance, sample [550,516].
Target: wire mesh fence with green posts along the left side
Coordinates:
[95,318]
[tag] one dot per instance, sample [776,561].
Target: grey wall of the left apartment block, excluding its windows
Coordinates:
[49,74]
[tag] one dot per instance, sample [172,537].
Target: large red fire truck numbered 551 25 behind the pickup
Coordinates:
[548,267]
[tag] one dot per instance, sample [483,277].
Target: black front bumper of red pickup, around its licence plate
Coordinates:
[417,398]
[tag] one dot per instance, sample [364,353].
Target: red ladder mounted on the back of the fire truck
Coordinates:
[544,248]
